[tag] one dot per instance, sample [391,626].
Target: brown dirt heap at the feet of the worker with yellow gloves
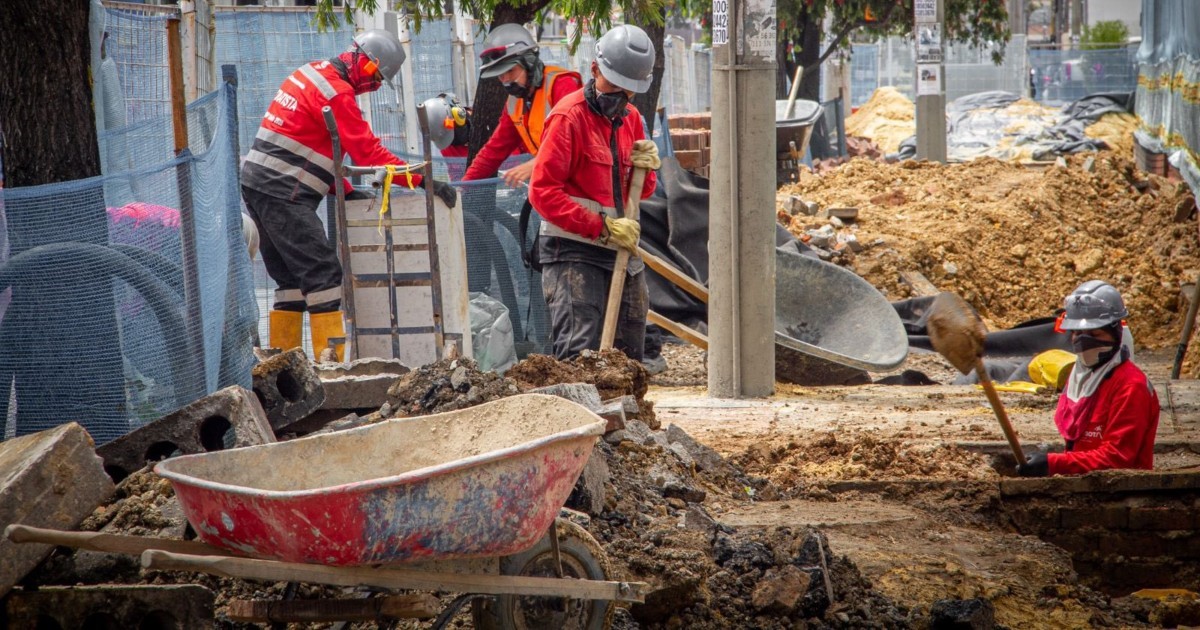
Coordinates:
[614,375]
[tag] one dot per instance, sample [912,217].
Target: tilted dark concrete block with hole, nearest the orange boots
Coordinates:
[289,388]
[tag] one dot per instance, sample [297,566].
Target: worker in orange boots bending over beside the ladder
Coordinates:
[290,170]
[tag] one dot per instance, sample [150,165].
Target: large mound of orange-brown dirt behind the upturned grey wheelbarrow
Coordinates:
[1015,241]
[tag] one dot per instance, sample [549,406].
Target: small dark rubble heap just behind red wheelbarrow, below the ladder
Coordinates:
[445,387]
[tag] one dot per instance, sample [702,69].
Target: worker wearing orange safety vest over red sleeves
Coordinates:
[512,56]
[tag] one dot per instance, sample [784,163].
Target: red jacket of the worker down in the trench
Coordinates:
[1121,430]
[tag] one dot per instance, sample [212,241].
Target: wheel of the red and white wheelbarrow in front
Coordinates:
[583,560]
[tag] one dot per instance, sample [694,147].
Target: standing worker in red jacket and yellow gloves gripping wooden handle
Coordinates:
[592,143]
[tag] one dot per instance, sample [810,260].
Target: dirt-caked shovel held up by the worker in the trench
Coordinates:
[958,335]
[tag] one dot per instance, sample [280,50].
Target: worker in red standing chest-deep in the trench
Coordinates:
[1108,413]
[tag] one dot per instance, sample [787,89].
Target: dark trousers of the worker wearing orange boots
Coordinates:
[297,253]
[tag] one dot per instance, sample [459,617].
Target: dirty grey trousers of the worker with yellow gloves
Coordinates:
[577,295]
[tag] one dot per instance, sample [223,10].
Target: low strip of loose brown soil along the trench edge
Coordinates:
[861,457]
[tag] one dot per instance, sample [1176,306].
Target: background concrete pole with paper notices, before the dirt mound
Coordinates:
[931,77]
